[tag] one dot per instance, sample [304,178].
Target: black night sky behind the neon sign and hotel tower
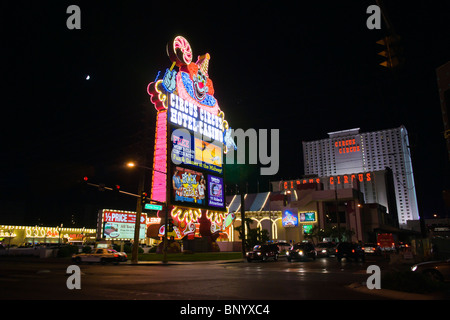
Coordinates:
[306,70]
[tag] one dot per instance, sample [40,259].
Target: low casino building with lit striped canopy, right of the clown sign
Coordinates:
[290,214]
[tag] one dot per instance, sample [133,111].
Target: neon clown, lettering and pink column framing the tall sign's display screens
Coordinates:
[184,89]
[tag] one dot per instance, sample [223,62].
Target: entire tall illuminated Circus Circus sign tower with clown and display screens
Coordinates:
[189,145]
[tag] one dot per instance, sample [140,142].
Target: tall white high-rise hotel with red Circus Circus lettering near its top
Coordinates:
[351,153]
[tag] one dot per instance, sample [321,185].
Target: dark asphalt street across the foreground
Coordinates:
[323,279]
